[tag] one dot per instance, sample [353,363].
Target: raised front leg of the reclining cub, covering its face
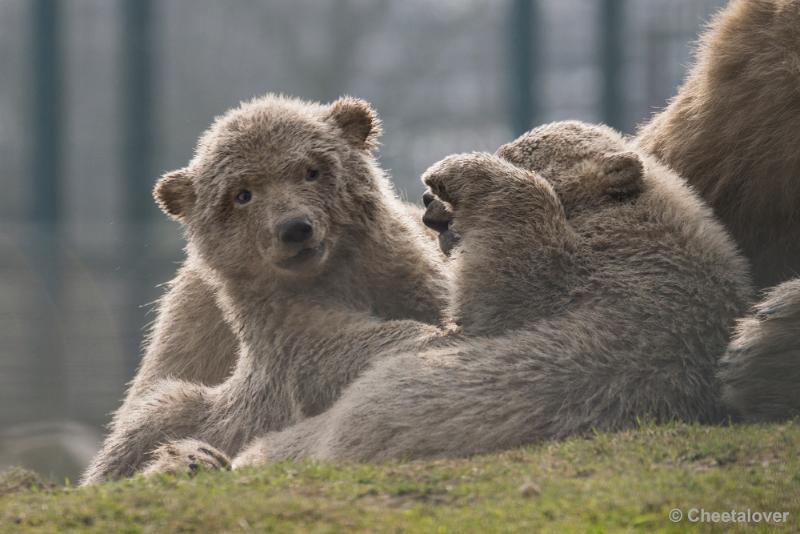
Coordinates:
[517,249]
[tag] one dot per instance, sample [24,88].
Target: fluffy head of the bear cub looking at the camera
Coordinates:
[274,186]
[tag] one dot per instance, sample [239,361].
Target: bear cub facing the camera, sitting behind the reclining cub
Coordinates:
[296,160]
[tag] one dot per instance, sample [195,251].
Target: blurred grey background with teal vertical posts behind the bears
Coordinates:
[102,96]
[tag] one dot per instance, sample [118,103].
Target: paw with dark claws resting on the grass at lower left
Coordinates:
[186,456]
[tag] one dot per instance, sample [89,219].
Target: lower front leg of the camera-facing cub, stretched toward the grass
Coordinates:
[173,410]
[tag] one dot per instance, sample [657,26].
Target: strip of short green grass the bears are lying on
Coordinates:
[607,482]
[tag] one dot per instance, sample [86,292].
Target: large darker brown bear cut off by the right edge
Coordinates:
[732,133]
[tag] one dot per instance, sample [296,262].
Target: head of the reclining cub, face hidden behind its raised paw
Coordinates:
[586,164]
